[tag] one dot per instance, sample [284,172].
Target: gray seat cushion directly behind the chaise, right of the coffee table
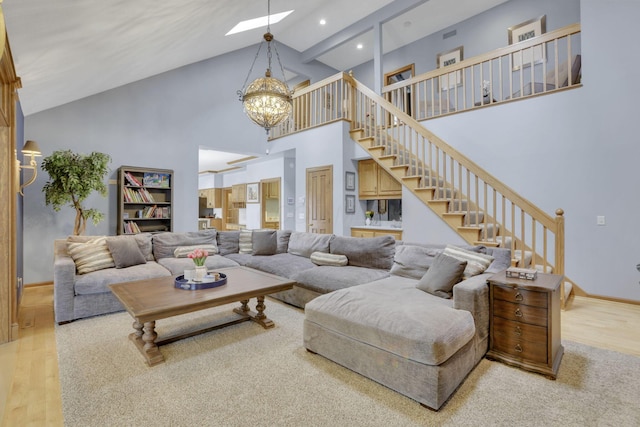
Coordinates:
[323,279]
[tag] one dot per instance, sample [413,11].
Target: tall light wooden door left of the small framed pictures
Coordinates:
[320,200]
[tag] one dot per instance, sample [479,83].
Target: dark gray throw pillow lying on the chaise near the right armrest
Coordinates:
[445,271]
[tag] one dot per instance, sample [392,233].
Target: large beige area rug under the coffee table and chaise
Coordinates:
[245,375]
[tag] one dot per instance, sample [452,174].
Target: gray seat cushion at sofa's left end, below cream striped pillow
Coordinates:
[97,282]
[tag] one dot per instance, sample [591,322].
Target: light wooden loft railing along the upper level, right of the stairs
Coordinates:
[543,64]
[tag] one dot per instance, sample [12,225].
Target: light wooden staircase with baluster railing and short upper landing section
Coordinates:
[475,204]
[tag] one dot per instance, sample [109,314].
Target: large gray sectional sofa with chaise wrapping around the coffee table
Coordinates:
[369,304]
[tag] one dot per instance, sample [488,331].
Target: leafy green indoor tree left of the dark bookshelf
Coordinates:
[73,178]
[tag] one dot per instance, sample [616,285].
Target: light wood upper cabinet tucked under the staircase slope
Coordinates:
[376,183]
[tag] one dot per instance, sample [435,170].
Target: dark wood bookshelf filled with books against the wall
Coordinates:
[145,198]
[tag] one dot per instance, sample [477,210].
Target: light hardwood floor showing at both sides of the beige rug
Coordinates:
[31,387]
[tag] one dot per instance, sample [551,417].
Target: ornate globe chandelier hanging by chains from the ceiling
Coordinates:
[267,100]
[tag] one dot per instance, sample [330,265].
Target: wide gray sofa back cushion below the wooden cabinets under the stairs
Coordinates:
[376,252]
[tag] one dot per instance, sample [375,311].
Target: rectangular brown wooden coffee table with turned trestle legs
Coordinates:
[153,299]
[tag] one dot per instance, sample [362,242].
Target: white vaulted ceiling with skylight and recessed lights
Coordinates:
[65,50]
